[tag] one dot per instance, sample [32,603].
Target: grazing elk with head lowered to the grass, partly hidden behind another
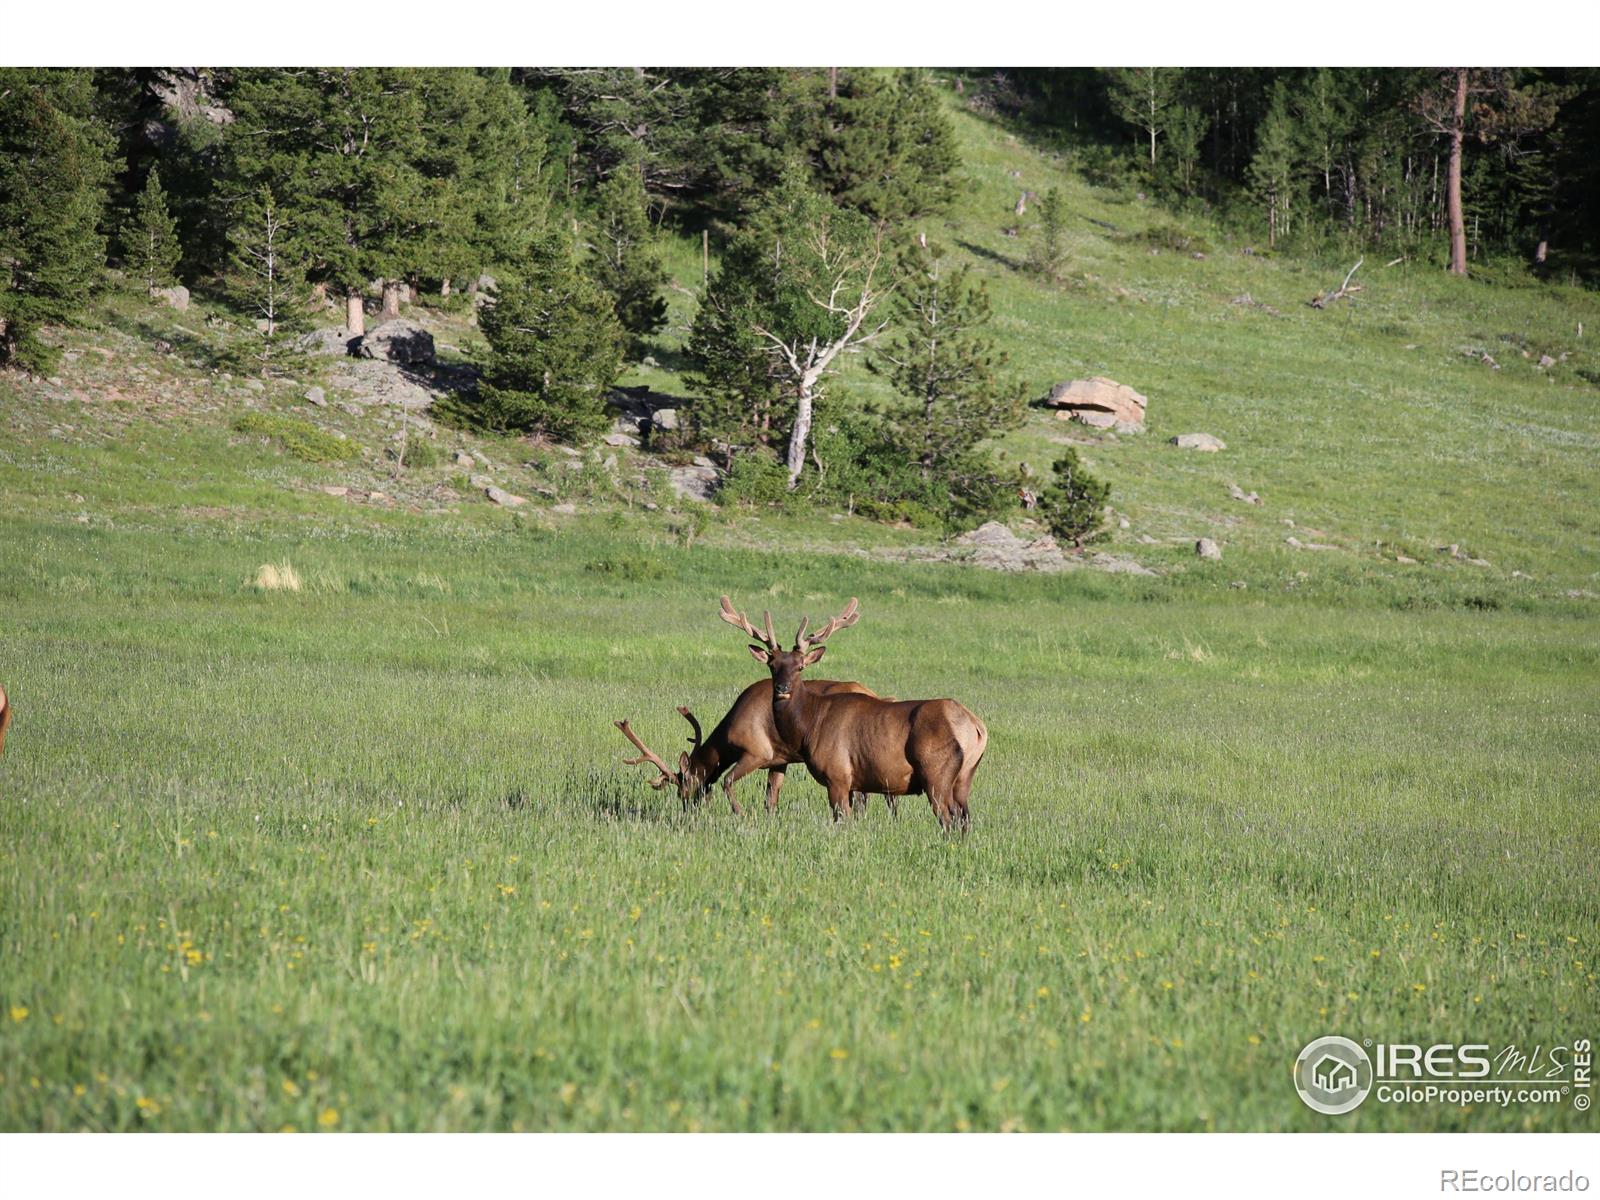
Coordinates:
[745,742]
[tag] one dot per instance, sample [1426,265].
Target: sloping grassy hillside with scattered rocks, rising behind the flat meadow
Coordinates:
[1377,423]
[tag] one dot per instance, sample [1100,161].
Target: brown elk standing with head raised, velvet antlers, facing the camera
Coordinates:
[855,743]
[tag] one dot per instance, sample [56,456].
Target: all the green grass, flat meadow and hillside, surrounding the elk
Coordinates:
[362,855]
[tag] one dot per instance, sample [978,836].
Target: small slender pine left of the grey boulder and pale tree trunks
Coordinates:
[268,279]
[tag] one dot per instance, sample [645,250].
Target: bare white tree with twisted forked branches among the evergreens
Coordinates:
[855,284]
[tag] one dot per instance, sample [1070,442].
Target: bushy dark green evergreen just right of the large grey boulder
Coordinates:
[554,350]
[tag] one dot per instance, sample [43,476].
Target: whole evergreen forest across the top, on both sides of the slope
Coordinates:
[543,198]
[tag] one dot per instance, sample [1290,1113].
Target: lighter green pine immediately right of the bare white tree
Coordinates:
[950,372]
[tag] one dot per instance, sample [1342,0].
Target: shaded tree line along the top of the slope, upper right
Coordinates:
[1465,162]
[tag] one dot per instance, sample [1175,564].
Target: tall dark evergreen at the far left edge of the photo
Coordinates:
[55,166]
